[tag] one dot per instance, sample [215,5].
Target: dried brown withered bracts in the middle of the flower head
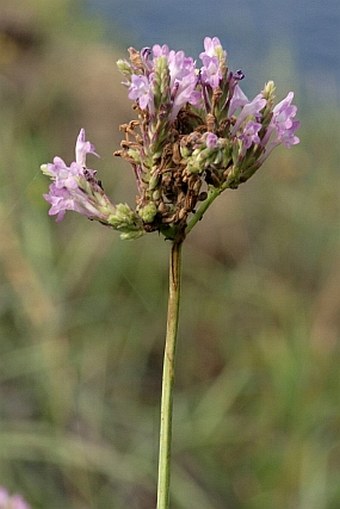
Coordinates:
[169,185]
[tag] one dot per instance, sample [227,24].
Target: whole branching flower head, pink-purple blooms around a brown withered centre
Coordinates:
[196,135]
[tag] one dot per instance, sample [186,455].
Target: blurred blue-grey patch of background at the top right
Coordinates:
[254,32]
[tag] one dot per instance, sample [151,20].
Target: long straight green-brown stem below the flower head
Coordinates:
[164,460]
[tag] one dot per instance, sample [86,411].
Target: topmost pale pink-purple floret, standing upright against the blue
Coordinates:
[213,59]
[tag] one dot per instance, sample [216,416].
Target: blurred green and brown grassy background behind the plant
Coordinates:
[82,314]
